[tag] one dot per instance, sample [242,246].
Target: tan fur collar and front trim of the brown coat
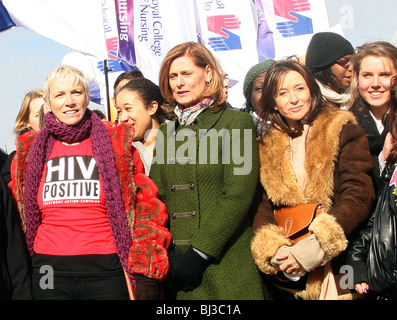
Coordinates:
[322,150]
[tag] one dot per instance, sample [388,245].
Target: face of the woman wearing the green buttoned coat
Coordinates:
[188,81]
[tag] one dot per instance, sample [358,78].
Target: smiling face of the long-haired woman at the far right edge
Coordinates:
[374,81]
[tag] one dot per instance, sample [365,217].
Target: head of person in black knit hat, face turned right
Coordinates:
[328,58]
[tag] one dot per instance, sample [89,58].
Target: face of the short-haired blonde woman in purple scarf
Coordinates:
[68,101]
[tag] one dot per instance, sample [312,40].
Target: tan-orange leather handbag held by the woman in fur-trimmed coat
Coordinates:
[296,220]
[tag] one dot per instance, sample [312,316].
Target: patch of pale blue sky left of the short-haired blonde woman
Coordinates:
[25,59]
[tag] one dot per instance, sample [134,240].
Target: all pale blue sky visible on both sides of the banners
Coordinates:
[26,58]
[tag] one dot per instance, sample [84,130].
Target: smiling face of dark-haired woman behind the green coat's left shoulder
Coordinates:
[131,109]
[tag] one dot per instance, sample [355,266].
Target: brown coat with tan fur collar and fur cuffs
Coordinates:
[338,166]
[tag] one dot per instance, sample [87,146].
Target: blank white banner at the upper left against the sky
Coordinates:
[77,24]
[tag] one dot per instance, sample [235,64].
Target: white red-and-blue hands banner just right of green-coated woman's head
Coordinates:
[229,29]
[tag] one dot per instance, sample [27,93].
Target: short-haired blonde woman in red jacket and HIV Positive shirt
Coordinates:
[90,214]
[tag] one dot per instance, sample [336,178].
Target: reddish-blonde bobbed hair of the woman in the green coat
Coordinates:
[202,58]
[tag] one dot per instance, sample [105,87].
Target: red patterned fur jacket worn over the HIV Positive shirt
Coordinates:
[145,213]
